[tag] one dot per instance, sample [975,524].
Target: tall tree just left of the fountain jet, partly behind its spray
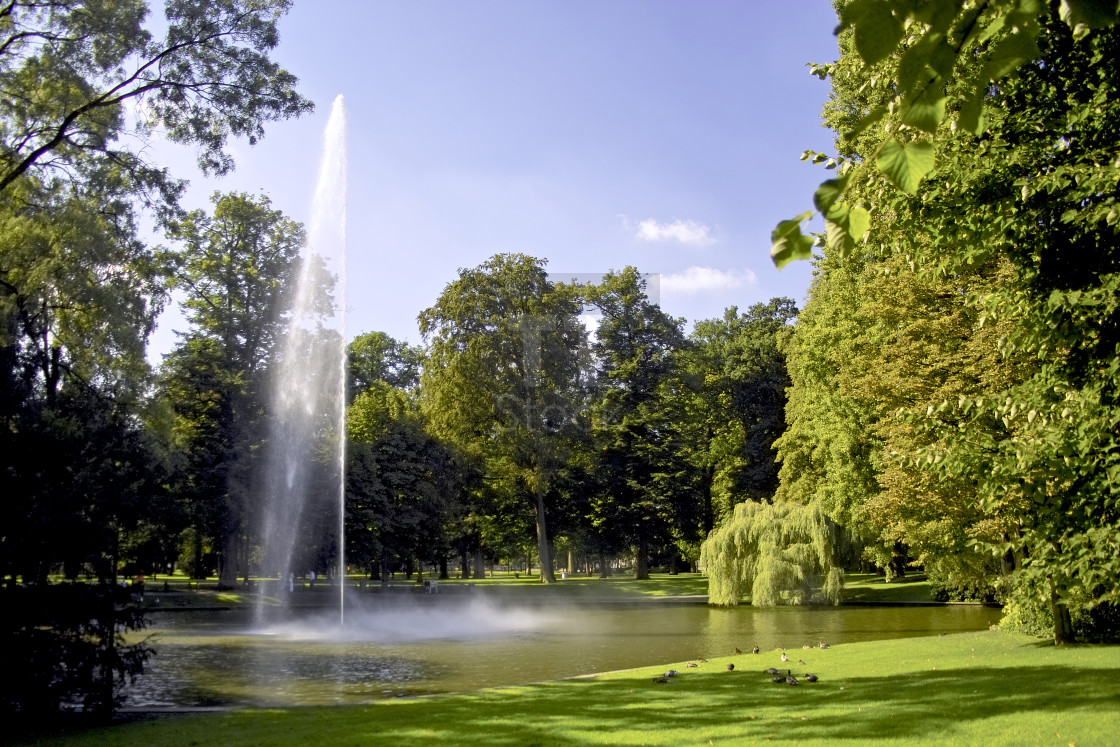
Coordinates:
[236,268]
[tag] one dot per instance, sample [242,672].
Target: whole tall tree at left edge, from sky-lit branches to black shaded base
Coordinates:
[80,293]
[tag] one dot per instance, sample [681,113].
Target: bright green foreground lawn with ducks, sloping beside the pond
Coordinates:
[972,689]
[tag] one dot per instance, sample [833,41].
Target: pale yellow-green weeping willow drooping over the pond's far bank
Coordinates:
[780,553]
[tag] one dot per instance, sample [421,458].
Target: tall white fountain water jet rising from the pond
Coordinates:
[306,457]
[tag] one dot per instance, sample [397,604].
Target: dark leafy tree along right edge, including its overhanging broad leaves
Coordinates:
[1023,186]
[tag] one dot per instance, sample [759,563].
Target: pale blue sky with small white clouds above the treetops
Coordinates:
[659,134]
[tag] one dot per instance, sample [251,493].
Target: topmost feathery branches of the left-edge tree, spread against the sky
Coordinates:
[74,71]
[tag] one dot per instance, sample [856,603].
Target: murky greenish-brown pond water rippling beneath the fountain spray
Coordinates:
[432,646]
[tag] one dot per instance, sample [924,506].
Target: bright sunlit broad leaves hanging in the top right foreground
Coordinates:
[932,59]
